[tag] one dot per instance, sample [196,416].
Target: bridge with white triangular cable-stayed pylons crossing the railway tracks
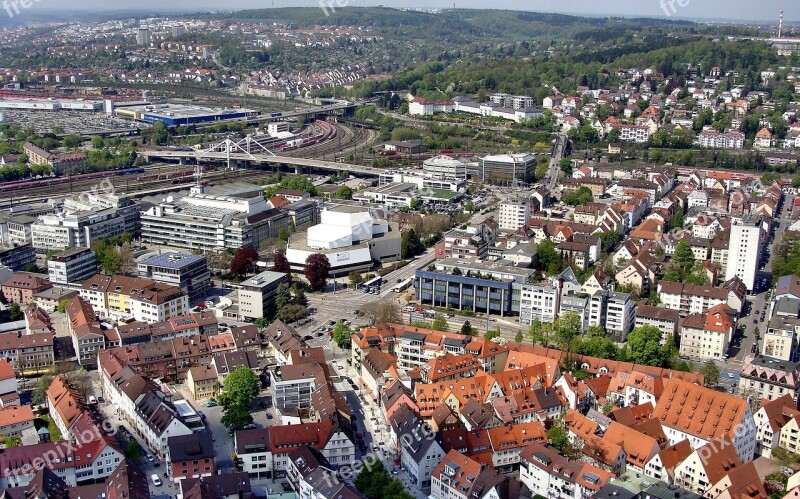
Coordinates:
[248,151]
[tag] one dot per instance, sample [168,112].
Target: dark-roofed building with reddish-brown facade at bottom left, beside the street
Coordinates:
[190,456]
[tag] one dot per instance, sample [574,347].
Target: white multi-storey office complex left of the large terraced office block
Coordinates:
[84,220]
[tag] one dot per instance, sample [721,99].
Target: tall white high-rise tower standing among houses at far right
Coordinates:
[747,237]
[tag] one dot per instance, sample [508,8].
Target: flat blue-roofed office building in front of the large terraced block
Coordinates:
[186,271]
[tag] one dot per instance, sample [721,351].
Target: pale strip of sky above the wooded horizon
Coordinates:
[737,10]
